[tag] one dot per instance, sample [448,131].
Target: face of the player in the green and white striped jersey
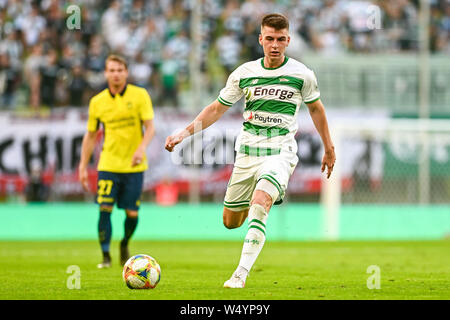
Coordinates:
[274,42]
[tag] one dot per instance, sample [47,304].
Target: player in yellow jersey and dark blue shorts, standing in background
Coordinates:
[123,110]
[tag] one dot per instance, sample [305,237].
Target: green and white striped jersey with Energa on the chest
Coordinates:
[272,99]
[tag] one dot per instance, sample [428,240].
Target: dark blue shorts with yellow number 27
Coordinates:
[123,188]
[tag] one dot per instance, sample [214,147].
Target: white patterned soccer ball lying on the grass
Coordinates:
[141,272]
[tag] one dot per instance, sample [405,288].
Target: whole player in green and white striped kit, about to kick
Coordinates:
[274,88]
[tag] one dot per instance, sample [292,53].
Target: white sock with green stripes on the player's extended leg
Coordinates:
[255,238]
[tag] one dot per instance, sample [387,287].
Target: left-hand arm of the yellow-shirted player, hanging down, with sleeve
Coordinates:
[87,146]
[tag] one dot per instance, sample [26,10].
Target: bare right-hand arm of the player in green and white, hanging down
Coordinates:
[317,112]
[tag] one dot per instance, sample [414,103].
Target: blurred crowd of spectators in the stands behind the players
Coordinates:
[43,63]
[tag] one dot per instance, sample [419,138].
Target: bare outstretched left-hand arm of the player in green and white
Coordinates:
[205,118]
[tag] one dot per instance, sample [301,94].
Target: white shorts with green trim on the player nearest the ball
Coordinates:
[248,170]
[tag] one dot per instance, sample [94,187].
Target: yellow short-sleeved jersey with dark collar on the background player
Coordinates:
[121,116]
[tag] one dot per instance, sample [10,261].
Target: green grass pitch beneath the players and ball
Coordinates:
[196,270]
